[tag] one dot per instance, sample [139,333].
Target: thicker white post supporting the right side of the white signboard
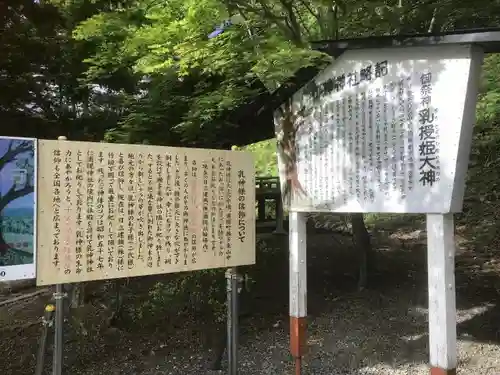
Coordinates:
[442,299]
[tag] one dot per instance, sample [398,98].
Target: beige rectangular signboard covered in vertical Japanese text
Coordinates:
[108,210]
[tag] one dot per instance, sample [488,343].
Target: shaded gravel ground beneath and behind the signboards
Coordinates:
[381,330]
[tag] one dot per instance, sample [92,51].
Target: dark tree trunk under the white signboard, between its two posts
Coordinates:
[362,244]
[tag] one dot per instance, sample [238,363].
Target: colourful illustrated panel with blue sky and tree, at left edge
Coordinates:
[17,208]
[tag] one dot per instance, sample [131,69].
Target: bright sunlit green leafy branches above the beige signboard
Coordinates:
[159,40]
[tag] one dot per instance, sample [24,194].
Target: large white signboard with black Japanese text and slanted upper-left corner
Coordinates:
[381,130]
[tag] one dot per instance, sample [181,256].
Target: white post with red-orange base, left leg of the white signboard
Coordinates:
[298,286]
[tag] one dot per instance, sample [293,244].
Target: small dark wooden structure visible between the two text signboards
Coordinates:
[268,188]
